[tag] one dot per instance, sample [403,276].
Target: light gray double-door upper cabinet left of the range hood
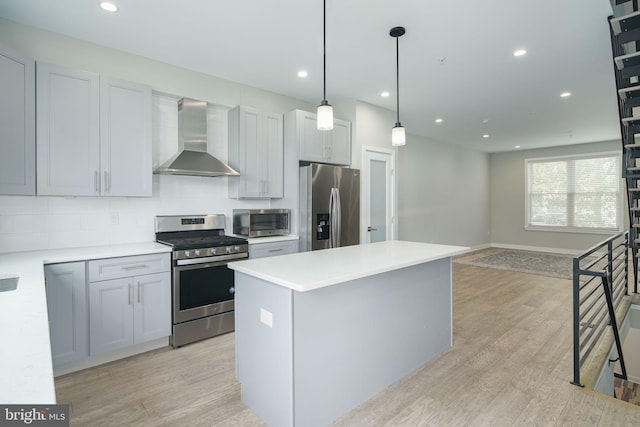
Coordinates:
[93,134]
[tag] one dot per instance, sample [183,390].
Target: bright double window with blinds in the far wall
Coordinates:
[577,193]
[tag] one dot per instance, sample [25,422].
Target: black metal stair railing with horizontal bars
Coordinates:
[600,281]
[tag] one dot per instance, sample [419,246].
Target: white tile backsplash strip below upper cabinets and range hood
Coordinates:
[34,223]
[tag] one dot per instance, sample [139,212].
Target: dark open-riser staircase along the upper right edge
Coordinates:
[625,42]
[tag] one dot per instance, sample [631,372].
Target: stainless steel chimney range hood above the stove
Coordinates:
[192,157]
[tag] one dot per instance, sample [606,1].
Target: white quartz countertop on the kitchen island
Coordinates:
[306,271]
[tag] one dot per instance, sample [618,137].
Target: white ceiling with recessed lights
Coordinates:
[455,59]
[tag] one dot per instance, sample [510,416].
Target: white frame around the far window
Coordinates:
[566,228]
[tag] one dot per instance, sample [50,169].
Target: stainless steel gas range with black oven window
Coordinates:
[202,284]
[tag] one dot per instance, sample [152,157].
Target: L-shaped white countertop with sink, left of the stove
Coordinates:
[26,370]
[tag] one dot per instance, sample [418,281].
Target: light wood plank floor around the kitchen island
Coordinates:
[511,364]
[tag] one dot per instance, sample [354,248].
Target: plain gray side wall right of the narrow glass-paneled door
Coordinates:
[443,193]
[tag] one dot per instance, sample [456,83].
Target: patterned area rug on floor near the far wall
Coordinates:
[554,265]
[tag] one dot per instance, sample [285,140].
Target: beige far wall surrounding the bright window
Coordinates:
[508,198]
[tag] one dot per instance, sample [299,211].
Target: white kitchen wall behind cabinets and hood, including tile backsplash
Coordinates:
[30,223]
